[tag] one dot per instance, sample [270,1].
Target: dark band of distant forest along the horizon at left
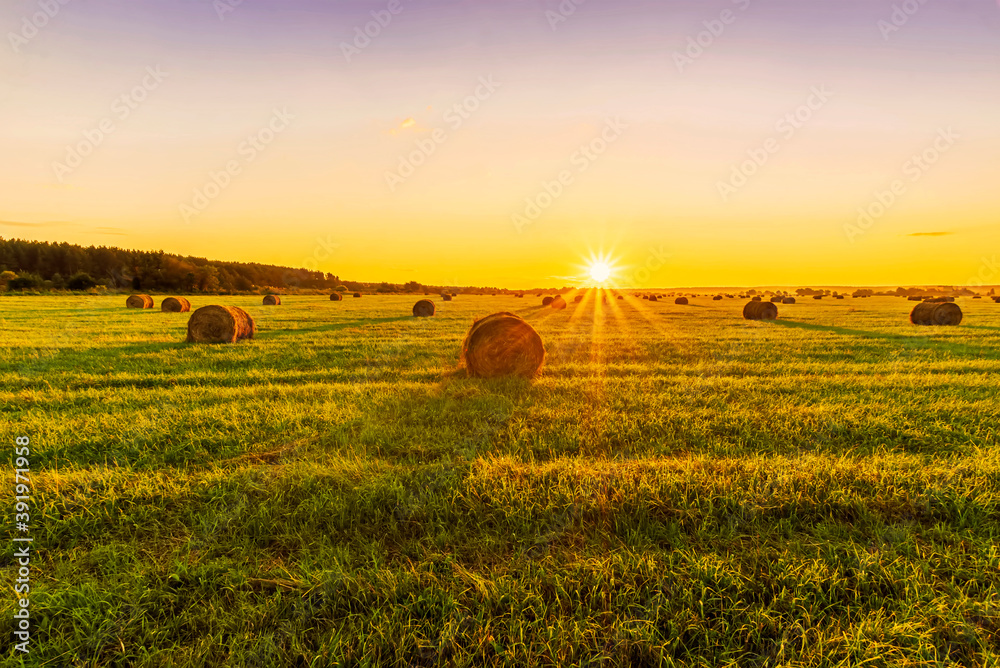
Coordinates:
[36,265]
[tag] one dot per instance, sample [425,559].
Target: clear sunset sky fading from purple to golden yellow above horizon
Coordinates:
[464,142]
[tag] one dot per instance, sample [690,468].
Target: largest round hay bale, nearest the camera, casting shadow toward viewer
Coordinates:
[502,344]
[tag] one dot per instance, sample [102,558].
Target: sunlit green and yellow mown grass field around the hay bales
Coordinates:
[679,487]
